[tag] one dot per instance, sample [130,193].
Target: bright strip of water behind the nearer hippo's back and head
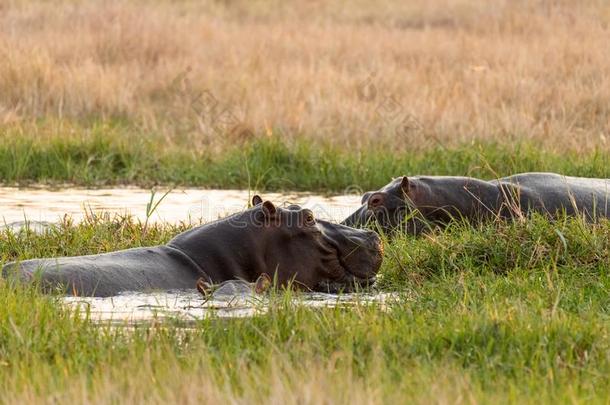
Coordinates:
[49,205]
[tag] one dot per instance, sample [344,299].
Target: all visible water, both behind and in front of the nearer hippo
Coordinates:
[42,206]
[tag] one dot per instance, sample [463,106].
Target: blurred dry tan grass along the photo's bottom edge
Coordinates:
[282,384]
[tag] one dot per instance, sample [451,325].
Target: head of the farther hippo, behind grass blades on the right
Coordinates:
[389,208]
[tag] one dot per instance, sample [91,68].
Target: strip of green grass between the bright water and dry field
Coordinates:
[106,154]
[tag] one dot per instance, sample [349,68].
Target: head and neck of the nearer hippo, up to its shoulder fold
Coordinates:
[288,244]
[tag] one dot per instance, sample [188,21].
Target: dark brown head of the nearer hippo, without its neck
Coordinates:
[312,253]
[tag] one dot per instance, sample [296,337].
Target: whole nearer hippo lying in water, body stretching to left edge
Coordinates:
[287,244]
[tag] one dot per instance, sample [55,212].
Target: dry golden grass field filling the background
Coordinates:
[460,69]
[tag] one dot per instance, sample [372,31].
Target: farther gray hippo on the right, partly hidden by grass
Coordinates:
[423,201]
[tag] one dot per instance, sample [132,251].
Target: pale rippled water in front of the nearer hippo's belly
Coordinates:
[191,305]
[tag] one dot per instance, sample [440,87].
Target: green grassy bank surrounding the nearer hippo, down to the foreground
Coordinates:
[508,312]
